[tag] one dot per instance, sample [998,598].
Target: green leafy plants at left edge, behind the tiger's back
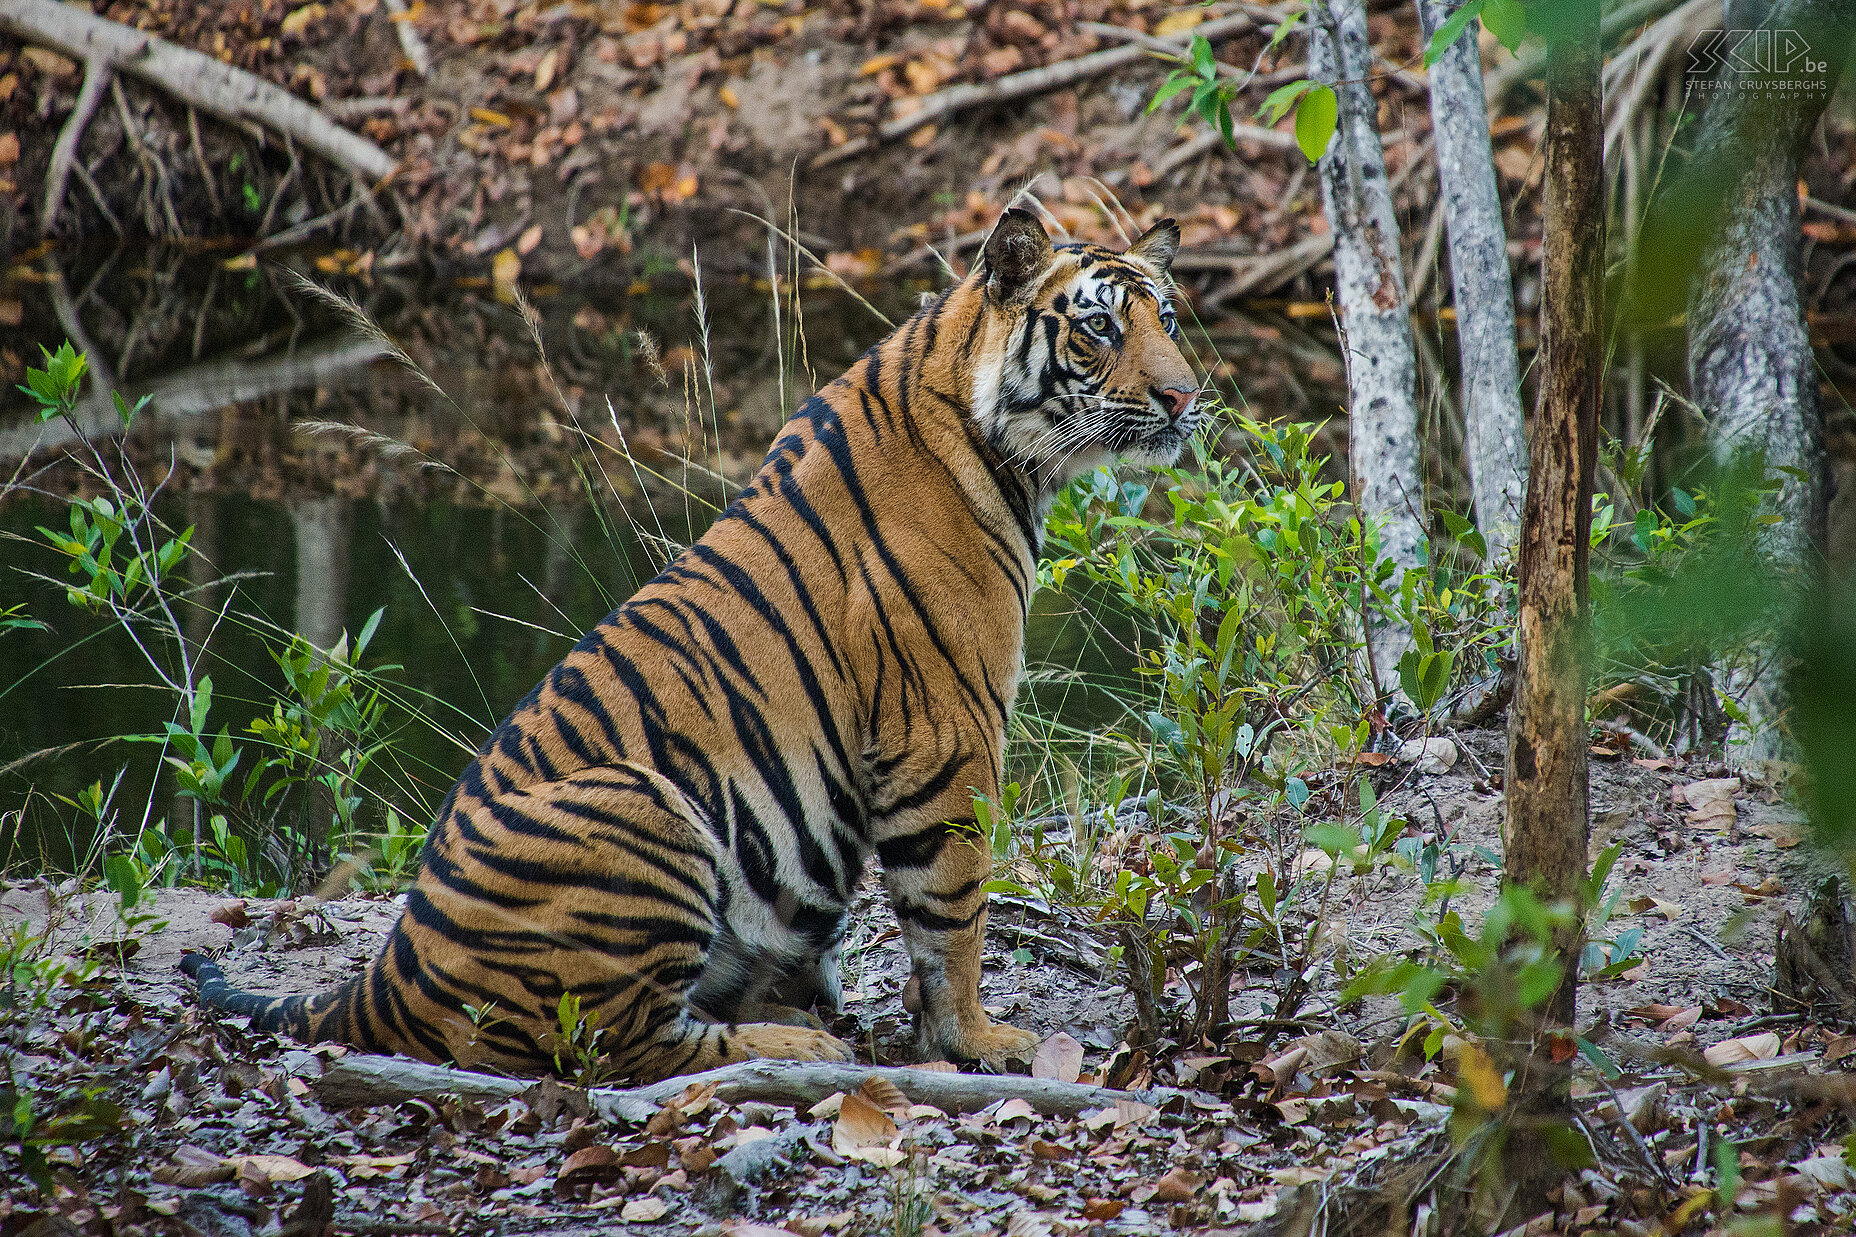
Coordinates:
[274,801]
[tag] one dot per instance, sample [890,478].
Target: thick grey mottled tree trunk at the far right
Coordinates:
[1751,363]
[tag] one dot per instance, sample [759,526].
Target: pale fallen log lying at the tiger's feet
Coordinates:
[365,1080]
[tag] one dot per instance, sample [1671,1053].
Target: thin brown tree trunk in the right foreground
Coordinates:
[1545,835]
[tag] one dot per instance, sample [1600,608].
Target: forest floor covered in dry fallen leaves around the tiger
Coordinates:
[227,1134]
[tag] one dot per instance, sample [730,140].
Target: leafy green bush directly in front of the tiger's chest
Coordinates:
[1248,597]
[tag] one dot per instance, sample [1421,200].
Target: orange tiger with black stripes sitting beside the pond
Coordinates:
[671,826]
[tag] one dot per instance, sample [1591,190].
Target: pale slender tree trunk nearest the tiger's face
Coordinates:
[1374,311]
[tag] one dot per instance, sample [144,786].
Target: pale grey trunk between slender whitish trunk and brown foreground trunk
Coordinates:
[1484,289]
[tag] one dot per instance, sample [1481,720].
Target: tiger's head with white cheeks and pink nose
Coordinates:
[1081,361]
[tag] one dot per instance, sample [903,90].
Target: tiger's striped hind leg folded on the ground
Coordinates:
[604,887]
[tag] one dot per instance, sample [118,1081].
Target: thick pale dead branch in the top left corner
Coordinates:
[192,77]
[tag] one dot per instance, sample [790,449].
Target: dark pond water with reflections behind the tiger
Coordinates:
[463,519]
